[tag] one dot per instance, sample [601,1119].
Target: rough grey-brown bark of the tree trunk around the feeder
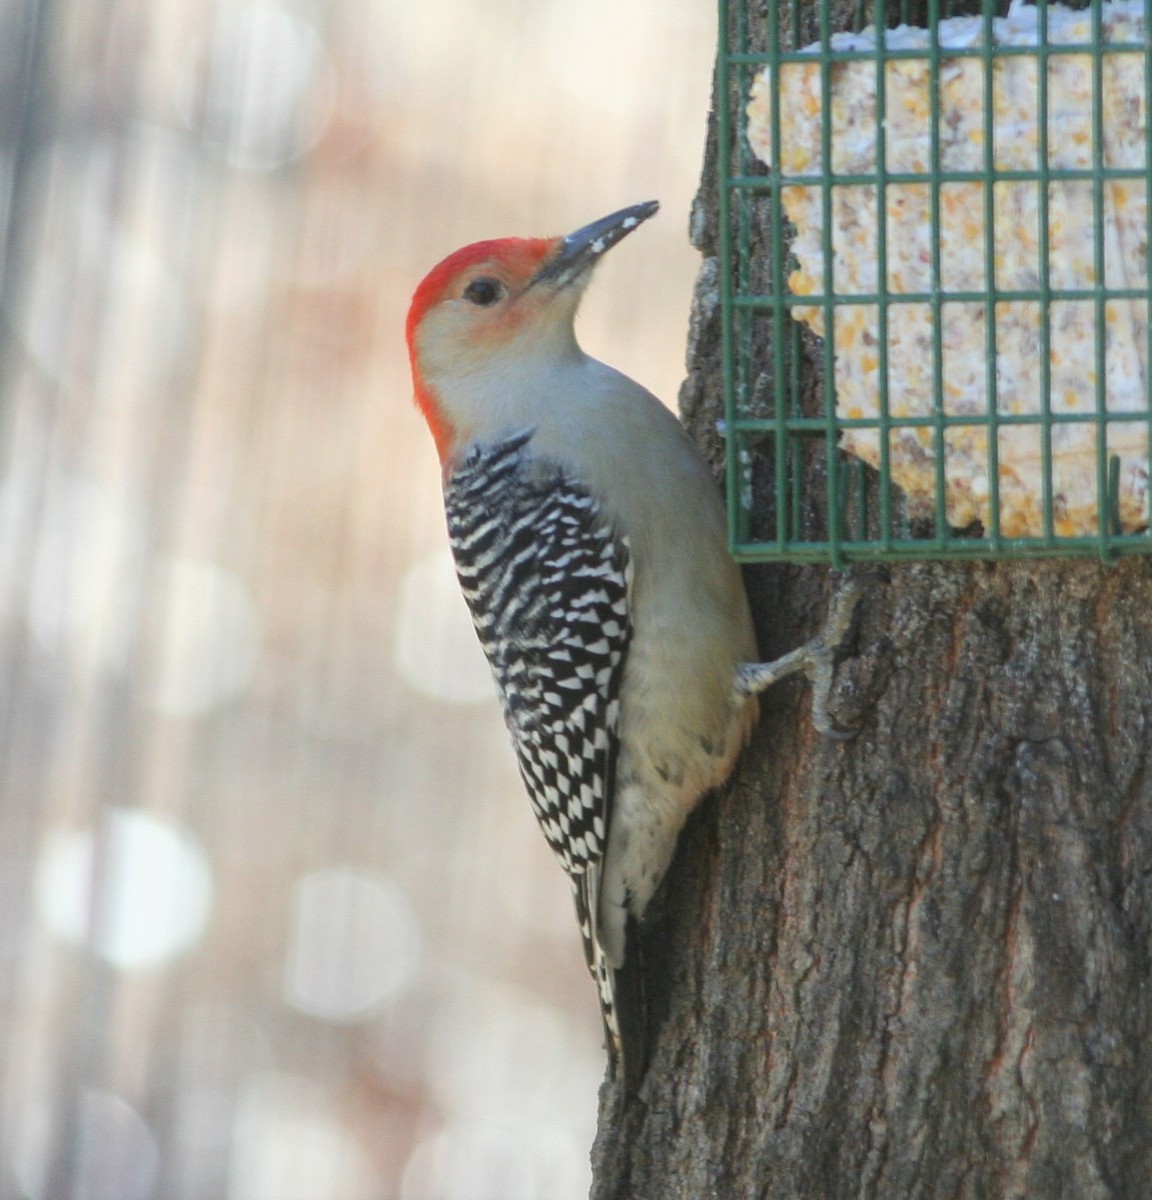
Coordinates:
[916,964]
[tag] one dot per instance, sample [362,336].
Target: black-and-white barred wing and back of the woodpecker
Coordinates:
[548,580]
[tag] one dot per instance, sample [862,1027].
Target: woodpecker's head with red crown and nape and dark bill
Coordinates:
[499,310]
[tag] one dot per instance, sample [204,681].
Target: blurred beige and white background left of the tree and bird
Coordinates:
[277,922]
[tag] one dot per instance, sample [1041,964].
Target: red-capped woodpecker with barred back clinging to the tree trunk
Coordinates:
[590,542]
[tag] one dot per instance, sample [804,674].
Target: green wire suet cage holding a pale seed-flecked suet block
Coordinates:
[934,279]
